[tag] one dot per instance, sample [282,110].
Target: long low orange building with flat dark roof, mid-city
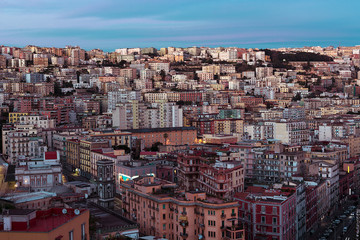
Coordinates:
[167,136]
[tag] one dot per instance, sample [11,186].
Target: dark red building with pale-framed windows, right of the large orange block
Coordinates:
[268,214]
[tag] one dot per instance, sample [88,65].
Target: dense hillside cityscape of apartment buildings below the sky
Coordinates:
[176,143]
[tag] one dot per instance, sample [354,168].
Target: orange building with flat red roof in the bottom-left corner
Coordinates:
[55,223]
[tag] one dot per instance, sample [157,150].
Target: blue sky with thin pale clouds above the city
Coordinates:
[112,24]
